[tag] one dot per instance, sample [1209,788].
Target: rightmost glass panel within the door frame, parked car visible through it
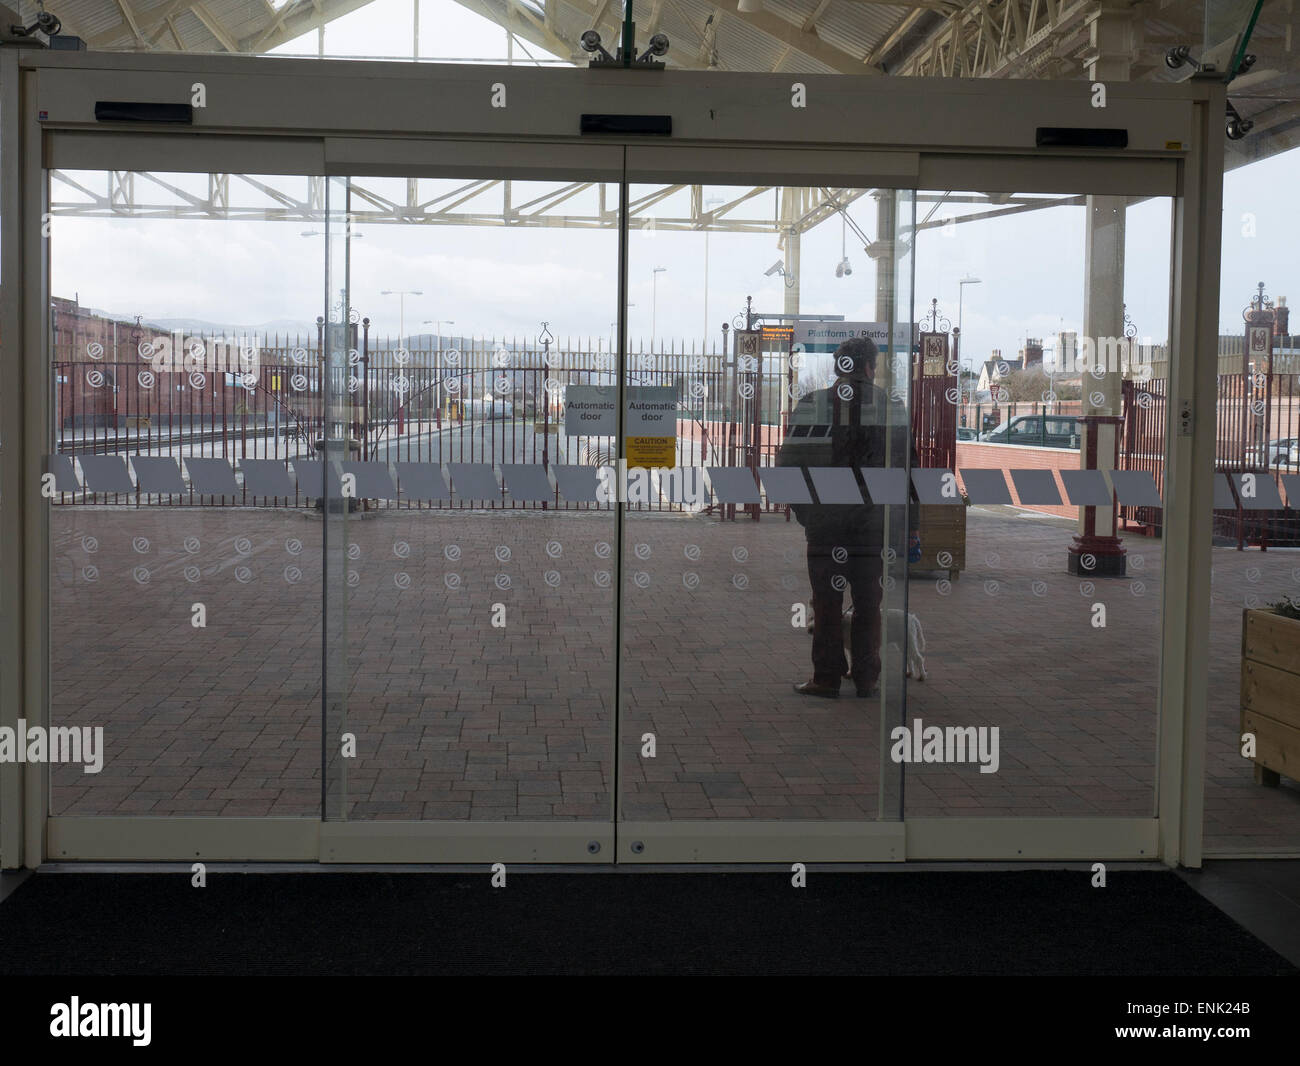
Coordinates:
[1043,658]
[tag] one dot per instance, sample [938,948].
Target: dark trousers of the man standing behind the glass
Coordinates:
[861,571]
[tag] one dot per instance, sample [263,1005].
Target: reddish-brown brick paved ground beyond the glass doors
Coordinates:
[457,720]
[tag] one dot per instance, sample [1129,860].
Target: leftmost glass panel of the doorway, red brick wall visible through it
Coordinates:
[185,553]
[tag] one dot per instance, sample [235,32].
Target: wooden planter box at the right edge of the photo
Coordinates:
[1271,694]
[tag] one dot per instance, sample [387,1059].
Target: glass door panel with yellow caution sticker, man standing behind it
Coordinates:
[735,582]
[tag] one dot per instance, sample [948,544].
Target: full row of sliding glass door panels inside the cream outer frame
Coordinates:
[372,514]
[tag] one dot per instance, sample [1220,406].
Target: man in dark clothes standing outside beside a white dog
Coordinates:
[851,424]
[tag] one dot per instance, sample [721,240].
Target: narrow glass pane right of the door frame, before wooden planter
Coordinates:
[1253,803]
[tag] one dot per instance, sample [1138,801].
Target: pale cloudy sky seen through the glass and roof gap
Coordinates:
[496,283]
